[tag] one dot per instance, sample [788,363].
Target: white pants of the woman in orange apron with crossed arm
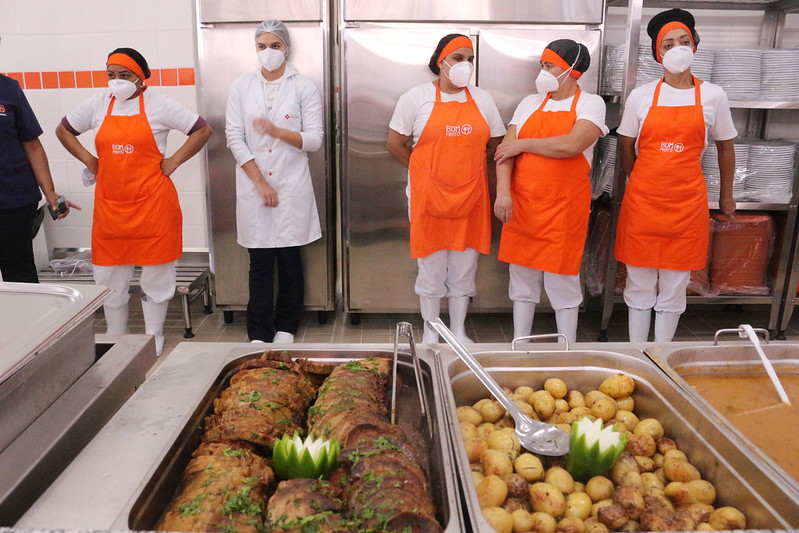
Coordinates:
[564,291]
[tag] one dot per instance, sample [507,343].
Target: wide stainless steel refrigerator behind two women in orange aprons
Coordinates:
[384,50]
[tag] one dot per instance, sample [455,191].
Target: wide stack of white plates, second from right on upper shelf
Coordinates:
[738,73]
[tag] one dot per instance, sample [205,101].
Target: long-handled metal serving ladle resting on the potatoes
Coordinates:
[535,436]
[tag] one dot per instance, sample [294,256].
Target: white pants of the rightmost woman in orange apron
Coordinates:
[663,290]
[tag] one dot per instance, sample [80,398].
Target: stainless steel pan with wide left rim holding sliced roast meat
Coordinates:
[125,477]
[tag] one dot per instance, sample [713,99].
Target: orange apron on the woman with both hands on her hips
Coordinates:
[137,218]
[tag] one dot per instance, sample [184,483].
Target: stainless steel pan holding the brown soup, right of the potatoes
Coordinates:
[679,359]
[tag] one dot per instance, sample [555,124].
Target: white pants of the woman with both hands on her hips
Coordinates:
[157,281]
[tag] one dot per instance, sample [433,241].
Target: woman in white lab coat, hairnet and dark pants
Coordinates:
[274,116]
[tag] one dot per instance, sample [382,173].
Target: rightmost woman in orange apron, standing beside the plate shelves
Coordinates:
[663,226]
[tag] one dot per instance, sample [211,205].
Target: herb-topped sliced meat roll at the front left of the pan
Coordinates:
[224,488]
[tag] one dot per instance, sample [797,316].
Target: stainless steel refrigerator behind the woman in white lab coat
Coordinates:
[226,50]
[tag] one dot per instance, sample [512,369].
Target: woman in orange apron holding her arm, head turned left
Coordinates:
[544,189]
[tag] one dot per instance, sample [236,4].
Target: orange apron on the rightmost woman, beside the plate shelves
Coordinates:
[664,220]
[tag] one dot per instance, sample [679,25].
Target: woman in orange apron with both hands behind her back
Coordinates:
[452,125]
